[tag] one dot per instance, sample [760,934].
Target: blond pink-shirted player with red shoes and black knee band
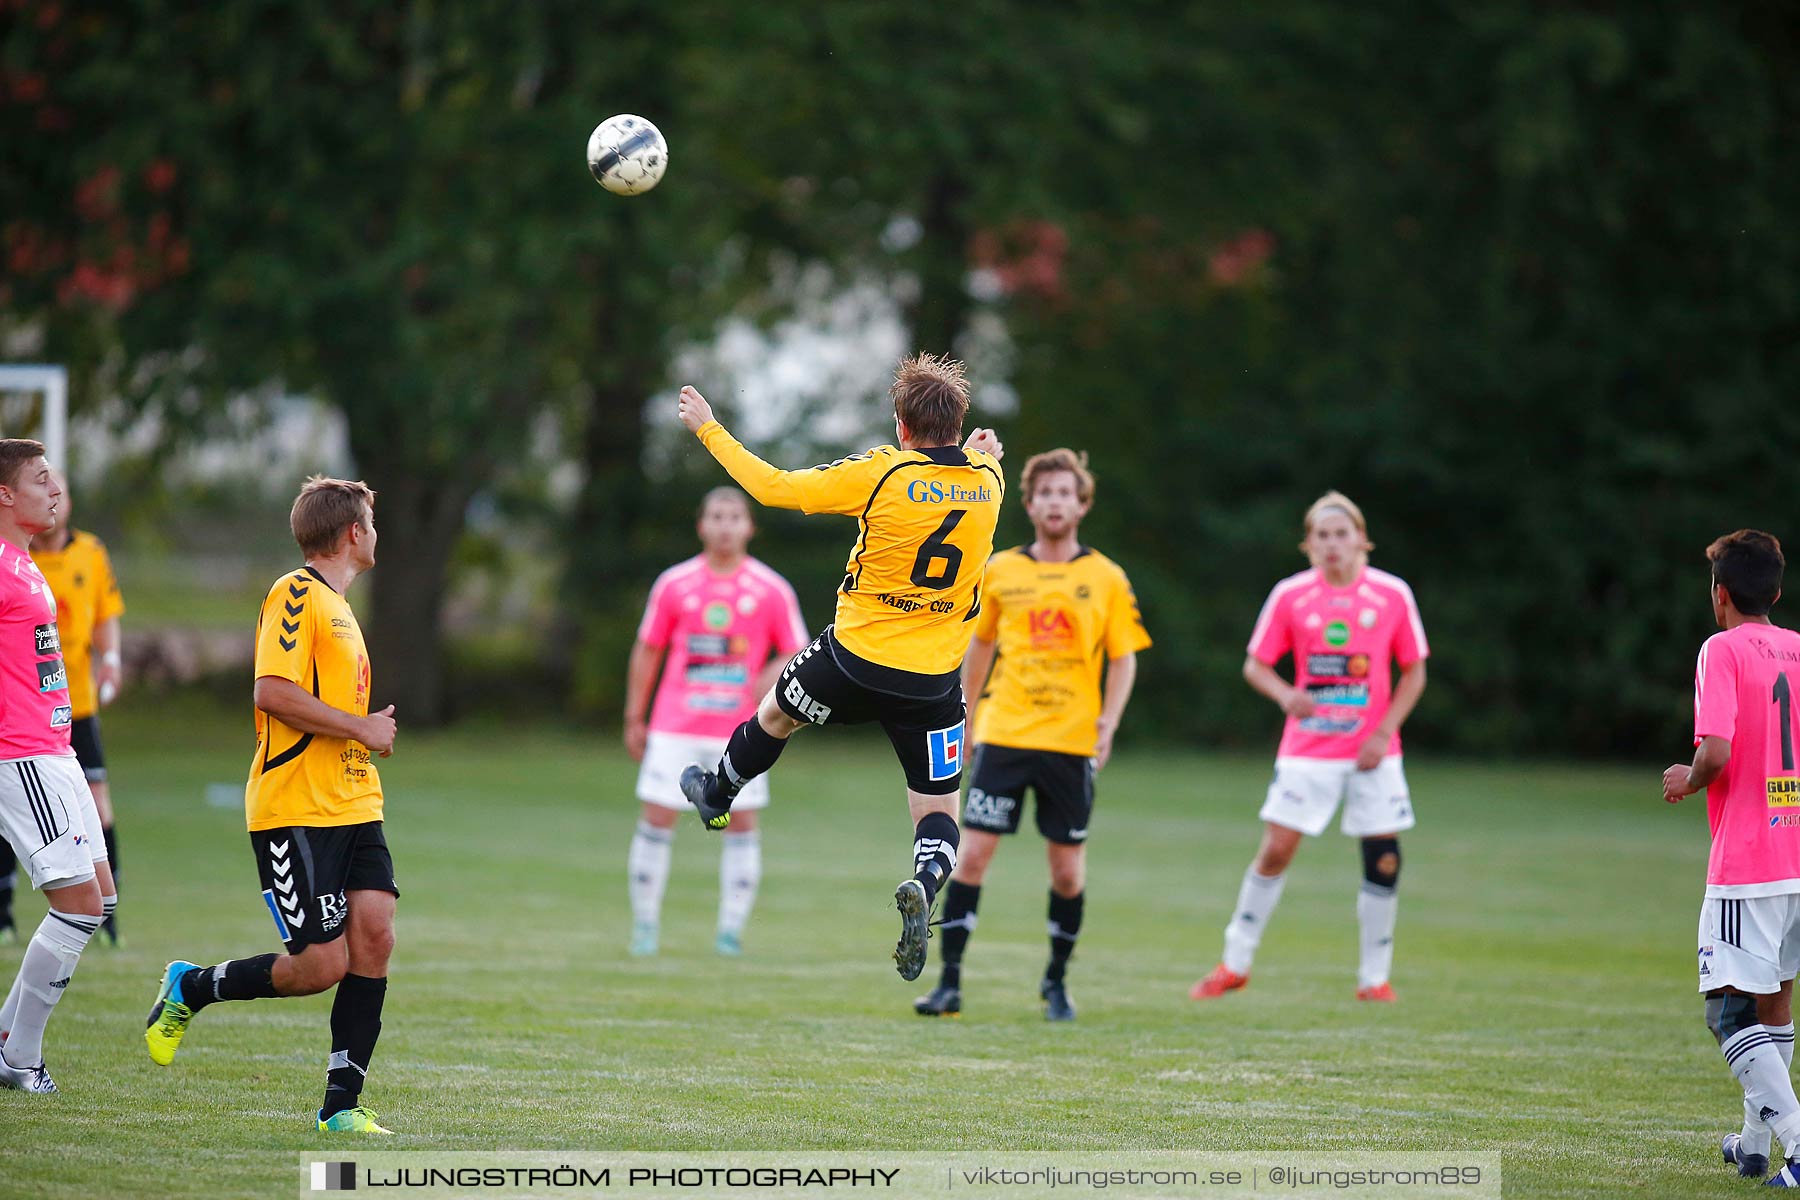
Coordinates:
[1347,627]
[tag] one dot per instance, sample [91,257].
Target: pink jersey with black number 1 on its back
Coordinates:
[1745,692]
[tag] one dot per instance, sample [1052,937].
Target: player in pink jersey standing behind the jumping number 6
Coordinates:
[719,618]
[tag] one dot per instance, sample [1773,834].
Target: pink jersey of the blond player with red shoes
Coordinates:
[1345,645]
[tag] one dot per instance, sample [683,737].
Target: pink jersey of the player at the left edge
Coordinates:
[33,679]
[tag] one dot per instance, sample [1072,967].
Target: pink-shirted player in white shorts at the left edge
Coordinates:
[46,809]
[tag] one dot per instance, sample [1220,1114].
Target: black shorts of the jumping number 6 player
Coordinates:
[922,715]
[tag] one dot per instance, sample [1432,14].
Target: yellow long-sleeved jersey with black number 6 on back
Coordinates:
[913,582]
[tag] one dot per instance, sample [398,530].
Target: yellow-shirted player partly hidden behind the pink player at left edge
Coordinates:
[87,618]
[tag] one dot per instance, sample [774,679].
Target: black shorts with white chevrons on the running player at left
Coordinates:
[309,870]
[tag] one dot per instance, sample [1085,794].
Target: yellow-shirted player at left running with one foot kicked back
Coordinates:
[314,809]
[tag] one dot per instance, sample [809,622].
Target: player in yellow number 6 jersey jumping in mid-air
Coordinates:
[912,593]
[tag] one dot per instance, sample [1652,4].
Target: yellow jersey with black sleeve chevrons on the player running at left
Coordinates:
[309,636]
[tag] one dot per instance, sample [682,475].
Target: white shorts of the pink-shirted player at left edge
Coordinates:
[48,814]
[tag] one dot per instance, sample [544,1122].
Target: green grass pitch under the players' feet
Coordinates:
[1545,969]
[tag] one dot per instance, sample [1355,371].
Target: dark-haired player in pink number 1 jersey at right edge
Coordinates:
[1750,920]
